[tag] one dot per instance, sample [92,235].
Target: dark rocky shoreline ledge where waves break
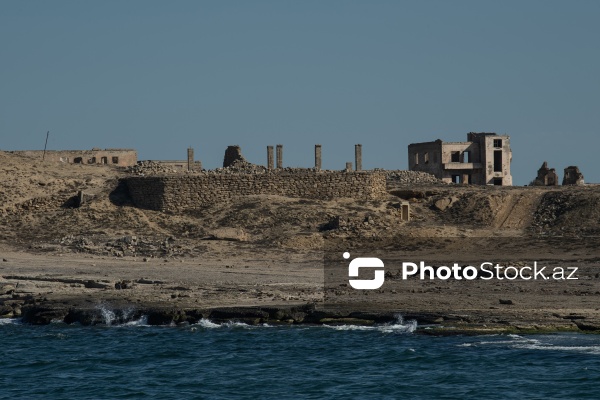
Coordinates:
[430,323]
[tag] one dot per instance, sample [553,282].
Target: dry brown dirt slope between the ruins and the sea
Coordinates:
[266,252]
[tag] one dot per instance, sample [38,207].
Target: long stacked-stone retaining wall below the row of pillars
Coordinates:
[179,193]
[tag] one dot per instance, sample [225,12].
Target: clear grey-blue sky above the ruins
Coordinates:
[159,76]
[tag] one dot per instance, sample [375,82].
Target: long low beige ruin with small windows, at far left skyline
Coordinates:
[117,157]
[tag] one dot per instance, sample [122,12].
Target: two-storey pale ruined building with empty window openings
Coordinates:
[484,159]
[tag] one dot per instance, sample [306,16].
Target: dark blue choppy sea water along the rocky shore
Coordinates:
[233,360]
